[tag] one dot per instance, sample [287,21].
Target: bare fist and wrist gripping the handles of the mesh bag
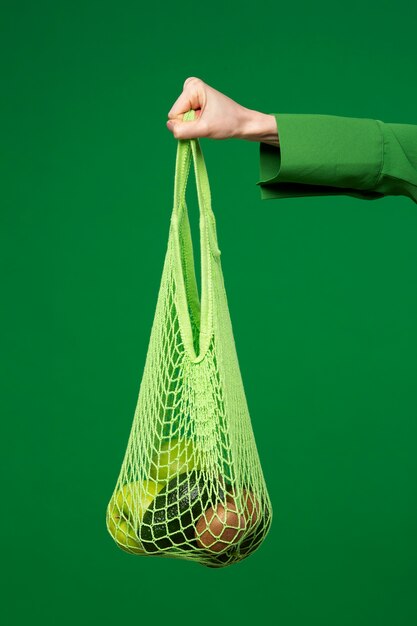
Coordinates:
[218,117]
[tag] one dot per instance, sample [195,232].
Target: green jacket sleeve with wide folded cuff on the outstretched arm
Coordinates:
[332,155]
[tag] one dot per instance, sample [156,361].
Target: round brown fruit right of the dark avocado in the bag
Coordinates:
[219,527]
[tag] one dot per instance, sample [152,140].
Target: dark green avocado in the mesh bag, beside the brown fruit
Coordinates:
[170,519]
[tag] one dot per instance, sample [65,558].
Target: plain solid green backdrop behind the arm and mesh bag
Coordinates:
[322,295]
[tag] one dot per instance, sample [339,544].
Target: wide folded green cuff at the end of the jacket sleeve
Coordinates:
[321,154]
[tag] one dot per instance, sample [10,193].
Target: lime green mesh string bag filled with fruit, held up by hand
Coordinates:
[191,484]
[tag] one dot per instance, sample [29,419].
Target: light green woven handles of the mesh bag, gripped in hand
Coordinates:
[186,293]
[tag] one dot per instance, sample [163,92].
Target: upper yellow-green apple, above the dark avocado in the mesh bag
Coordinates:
[174,457]
